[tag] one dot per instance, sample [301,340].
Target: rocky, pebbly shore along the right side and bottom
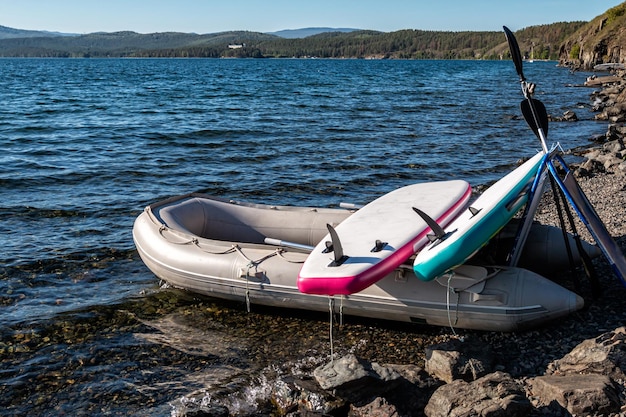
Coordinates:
[576,367]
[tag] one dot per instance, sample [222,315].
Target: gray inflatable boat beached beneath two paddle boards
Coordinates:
[218,248]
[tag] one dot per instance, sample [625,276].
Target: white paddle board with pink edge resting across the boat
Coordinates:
[379,237]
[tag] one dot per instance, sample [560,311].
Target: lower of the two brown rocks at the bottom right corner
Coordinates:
[578,394]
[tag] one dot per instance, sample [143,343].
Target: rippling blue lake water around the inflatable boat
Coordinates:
[87,144]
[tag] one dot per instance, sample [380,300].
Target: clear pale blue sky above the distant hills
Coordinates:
[211,16]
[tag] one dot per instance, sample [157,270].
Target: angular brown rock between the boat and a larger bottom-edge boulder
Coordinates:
[456,359]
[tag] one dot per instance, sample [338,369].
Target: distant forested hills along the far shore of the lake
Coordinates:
[544,42]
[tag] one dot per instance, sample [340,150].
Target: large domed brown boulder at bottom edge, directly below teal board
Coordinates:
[493,395]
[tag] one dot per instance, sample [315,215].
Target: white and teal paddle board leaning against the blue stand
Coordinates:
[471,230]
